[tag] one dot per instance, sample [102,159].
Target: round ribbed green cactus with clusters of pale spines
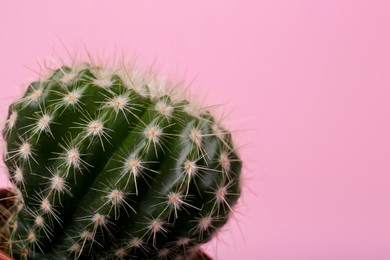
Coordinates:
[108,164]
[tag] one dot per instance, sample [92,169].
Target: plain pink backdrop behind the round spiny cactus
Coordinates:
[306,86]
